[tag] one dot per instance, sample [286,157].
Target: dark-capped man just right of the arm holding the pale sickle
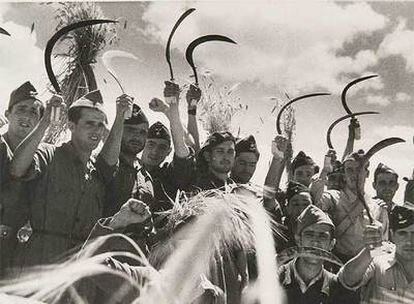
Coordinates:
[121,187]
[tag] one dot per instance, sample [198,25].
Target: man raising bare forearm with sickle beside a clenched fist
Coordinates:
[169,177]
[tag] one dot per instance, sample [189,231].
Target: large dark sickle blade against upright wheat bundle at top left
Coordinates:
[52,41]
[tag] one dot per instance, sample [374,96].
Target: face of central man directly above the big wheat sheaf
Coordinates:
[221,157]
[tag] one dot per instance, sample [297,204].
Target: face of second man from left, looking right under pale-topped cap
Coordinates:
[89,129]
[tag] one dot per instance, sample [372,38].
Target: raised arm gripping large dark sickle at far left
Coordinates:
[23,156]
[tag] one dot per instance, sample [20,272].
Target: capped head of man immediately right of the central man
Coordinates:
[247,156]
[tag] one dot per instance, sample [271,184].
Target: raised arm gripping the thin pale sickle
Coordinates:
[112,147]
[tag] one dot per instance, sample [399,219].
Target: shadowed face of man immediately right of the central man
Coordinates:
[244,167]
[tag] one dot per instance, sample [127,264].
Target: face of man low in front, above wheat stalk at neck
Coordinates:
[316,235]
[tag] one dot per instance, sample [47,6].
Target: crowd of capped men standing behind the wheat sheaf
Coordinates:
[63,191]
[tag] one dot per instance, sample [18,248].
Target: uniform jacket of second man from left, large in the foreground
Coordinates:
[66,199]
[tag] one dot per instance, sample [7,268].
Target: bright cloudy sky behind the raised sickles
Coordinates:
[298,47]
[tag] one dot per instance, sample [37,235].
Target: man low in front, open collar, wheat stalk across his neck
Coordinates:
[304,278]
